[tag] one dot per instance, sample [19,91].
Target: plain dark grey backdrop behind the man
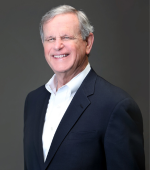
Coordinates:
[119,54]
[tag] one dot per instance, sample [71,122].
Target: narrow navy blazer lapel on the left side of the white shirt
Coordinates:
[39,122]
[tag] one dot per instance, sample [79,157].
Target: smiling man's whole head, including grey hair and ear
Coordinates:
[66,42]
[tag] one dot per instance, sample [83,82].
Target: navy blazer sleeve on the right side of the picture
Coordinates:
[123,141]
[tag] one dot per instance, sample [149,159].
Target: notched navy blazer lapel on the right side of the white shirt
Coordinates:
[77,106]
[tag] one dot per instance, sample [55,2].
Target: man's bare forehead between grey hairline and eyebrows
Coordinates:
[62,23]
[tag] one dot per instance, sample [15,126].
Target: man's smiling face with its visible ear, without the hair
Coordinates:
[65,51]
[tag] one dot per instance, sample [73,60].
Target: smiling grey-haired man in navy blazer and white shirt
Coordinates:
[78,121]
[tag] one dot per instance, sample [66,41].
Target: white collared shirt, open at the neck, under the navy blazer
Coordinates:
[58,104]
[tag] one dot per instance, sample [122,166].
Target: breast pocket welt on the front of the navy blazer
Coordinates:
[82,135]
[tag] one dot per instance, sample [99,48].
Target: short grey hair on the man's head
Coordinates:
[84,23]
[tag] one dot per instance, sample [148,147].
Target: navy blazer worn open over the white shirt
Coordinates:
[101,130]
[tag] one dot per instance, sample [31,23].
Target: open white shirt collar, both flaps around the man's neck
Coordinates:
[73,84]
